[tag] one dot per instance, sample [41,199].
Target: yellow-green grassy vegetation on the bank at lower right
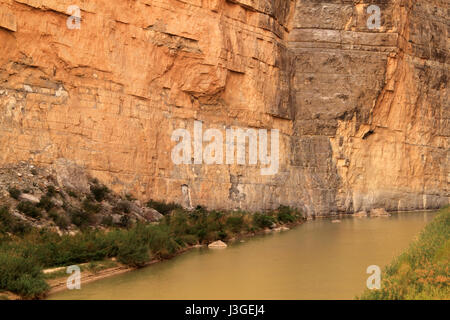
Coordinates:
[422,271]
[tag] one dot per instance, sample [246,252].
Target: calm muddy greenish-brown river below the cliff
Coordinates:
[316,260]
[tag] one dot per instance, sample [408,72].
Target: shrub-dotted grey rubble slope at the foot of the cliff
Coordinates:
[48,198]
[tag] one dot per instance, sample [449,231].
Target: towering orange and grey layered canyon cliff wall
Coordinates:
[363,113]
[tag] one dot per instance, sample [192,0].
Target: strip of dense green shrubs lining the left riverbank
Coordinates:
[25,252]
